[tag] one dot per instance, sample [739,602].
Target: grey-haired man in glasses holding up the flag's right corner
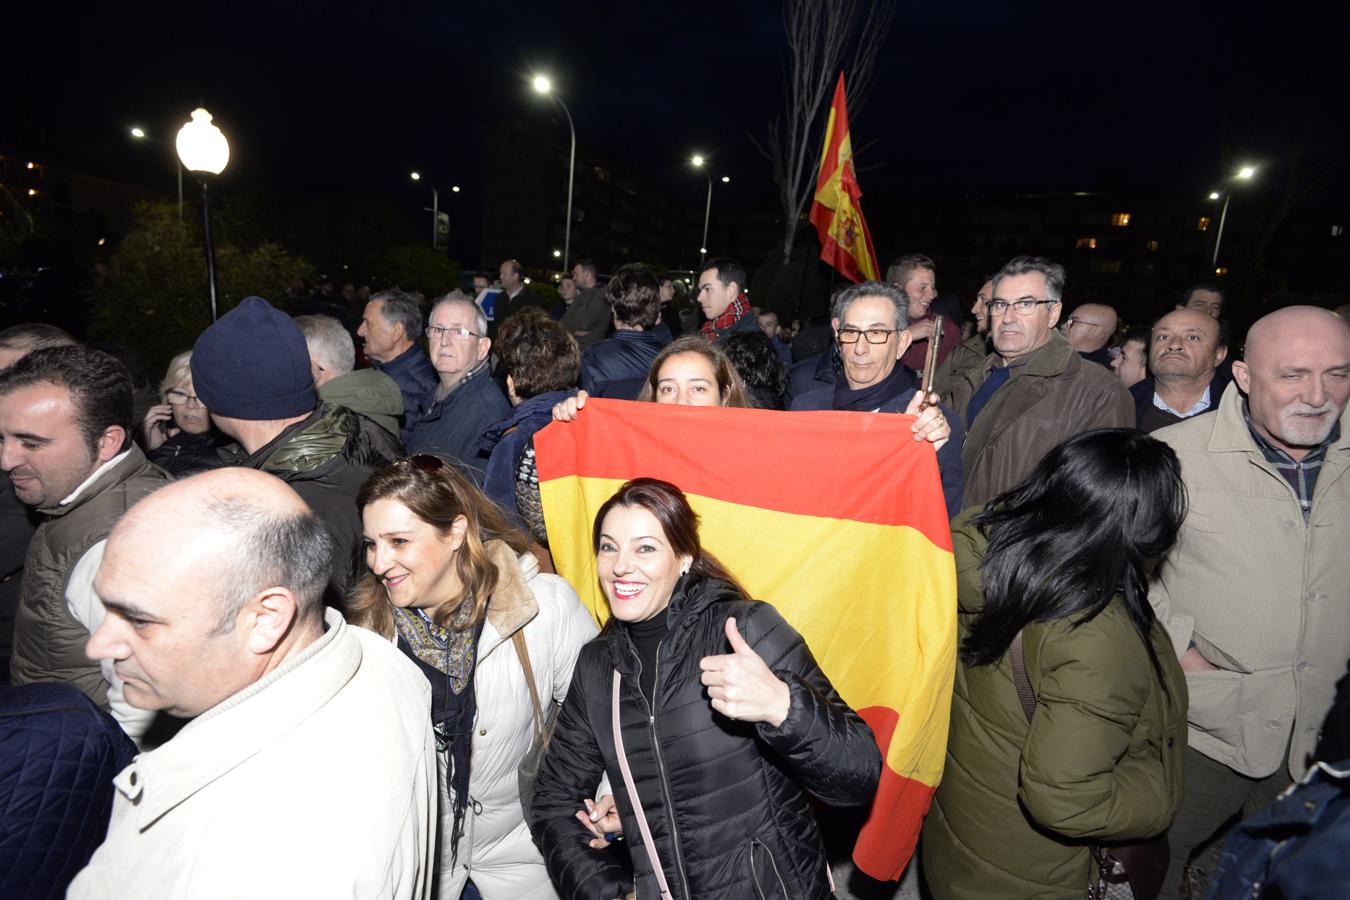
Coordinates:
[871,326]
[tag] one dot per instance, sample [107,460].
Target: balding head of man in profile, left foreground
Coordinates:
[210,585]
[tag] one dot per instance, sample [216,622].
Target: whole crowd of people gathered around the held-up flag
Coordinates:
[315,604]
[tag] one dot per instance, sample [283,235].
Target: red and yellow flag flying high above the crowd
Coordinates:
[846,242]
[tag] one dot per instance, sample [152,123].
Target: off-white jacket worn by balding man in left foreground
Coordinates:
[317,782]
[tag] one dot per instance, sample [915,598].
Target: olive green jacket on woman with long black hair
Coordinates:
[1102,760]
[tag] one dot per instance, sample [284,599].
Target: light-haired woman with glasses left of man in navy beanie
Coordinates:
[179,434]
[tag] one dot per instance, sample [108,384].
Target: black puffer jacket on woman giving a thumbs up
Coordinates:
[727,801]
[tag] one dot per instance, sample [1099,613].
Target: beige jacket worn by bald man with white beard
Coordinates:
[1264,597]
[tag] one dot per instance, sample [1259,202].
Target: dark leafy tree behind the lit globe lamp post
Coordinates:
[156,298]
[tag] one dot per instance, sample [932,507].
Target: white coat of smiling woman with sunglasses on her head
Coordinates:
[496,849]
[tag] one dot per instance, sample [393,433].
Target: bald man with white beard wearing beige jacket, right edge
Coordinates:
[1256,593]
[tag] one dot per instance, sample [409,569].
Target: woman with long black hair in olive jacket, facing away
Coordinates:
[1069,721]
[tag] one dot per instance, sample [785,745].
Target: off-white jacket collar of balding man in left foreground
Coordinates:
[241,727]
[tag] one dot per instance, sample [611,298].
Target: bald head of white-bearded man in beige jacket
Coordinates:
[1297,376]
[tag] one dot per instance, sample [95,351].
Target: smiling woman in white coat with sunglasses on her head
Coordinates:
[452,584]
